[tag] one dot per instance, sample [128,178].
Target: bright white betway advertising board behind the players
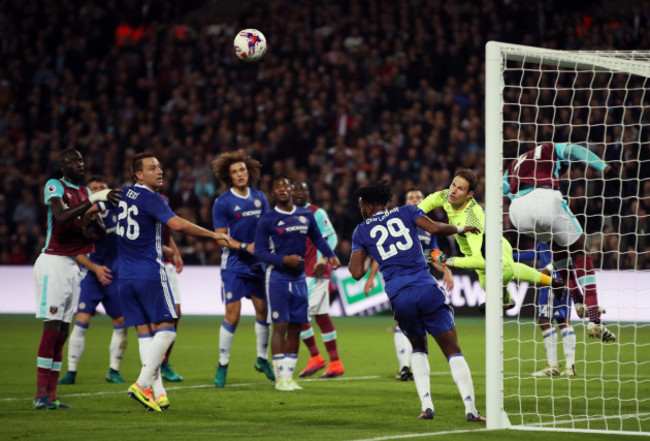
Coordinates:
[624,294]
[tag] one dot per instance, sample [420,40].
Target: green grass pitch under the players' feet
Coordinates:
[365,403]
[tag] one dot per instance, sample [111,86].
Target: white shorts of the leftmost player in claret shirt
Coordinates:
[56,279]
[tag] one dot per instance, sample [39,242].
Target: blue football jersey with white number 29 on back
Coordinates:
[391,238]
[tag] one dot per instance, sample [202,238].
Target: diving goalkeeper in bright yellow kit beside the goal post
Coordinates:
[462,209]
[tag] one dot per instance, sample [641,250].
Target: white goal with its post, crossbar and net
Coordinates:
[609,394]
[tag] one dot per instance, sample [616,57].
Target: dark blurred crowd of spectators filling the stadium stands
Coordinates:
[350,91]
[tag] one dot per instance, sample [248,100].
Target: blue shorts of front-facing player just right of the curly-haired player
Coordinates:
[286,301]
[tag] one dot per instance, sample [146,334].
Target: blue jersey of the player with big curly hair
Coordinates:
[240,215]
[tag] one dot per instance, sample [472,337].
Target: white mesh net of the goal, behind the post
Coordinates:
[598,100]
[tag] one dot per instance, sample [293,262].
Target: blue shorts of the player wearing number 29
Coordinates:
[421,309]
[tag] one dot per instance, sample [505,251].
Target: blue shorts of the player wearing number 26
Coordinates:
[146,301]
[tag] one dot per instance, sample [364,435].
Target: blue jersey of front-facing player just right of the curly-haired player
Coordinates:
[280,233]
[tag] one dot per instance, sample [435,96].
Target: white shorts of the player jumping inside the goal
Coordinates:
[544,215]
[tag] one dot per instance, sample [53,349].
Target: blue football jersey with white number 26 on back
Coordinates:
[141,214]
